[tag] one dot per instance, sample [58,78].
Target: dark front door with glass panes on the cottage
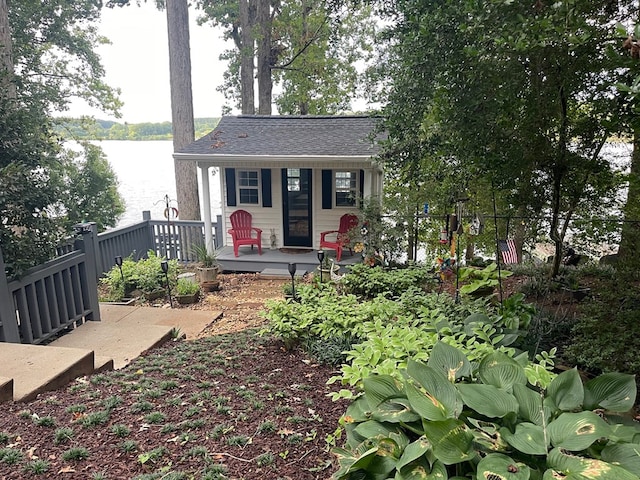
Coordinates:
[296,192]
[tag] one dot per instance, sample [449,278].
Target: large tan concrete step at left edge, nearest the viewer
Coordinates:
[37,368]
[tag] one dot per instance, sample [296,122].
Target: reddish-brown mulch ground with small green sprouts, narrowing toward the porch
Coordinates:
[228,405]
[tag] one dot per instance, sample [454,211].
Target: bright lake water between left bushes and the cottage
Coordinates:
[145,175]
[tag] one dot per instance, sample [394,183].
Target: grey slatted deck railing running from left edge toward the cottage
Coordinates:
[63,292]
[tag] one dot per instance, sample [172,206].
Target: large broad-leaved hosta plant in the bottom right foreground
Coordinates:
[449,419]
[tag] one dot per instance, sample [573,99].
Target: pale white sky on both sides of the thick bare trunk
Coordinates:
[137,62]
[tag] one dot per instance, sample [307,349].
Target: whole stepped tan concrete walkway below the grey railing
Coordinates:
[123,334]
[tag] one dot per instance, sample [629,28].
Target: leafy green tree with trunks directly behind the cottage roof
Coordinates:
[300,46]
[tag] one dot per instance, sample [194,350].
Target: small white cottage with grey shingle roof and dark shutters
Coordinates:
[296,175]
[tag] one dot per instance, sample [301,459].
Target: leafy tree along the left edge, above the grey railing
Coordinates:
[58,65]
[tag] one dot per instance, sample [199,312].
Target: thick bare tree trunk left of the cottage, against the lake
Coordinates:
[182,106]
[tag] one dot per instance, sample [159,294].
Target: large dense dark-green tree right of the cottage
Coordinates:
[516,94]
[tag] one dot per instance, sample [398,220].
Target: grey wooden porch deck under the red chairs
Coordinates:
[249,261]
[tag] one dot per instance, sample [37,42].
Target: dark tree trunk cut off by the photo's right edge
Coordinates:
[629,251]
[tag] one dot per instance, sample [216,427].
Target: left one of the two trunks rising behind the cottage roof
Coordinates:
[247,41]
